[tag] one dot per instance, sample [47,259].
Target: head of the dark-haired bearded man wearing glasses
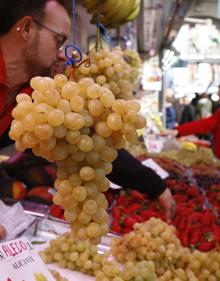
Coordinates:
[39,28]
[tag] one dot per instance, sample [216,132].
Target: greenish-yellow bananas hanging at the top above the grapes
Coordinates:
[113,12]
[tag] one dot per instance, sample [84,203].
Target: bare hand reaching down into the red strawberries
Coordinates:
[168,203]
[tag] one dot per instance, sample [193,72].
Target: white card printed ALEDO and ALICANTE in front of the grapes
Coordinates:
[19,262]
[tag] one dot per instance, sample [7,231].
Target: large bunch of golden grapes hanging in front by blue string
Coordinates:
[79,126]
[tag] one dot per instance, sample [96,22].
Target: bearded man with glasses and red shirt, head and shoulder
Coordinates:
[29,46]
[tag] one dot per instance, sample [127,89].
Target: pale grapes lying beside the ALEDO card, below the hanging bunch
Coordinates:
[82,256]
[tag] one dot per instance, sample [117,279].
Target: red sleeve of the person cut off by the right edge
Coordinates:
[202,126]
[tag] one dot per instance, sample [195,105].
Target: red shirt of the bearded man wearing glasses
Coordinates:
[7,106]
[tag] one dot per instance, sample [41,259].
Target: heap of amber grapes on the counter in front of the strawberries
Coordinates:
[156,241]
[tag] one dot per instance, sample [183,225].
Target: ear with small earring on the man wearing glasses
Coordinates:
[26,27]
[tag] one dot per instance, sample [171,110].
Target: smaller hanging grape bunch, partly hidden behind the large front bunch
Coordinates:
[109,69]
